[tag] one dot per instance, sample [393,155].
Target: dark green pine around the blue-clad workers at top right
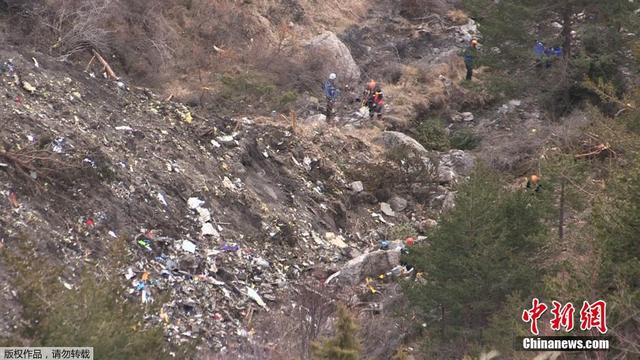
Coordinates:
[591,44]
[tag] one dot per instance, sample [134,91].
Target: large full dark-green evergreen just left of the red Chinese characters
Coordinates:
[487,247]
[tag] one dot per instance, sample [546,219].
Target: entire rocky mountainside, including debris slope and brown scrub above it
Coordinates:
[238,215]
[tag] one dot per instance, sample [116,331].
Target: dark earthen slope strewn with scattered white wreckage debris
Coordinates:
[220,216]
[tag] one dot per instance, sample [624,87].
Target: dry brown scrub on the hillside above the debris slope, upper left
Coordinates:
[183,46]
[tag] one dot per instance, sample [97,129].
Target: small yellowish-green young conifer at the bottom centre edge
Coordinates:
[344,345]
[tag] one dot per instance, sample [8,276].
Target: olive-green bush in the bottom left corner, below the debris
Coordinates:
[94,313]
